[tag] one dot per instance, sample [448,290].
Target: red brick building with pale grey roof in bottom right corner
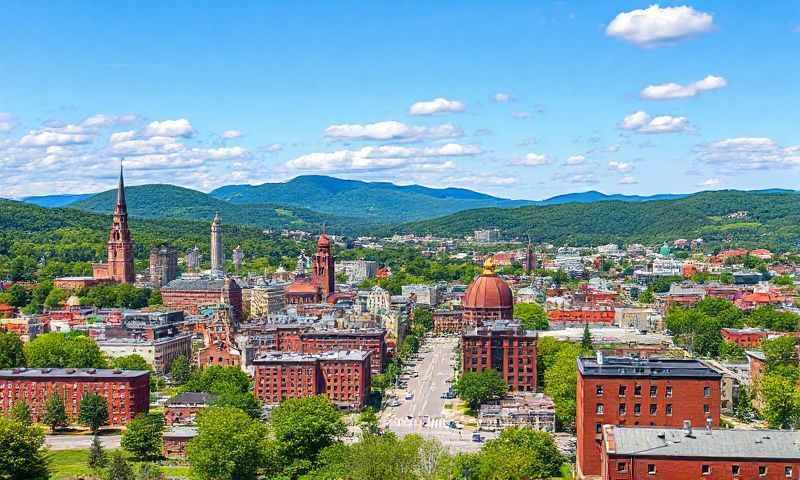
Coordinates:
[687,453]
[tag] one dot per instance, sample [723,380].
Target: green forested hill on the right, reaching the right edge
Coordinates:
[758,218]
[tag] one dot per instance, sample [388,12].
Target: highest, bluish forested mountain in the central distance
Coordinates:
[380,202]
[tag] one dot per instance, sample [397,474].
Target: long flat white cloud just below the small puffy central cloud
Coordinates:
[391,130]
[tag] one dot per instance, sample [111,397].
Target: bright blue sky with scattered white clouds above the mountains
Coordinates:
[517,99]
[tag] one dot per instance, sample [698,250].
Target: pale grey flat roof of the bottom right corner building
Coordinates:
[702,443]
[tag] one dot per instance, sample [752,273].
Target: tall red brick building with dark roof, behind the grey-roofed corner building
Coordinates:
[634,392]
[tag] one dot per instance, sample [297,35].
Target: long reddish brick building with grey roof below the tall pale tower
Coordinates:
[189,294]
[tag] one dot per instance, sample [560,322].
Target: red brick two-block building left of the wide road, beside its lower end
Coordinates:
[344,376]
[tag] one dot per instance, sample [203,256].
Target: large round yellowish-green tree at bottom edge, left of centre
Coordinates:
[229,445]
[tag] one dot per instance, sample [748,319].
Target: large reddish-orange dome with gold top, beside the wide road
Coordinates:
[487,298]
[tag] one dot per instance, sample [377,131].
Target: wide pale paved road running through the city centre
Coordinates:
[425,413]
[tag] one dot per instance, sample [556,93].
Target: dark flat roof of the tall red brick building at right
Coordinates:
[646,368]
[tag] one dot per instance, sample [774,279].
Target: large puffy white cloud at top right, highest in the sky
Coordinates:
[656,26]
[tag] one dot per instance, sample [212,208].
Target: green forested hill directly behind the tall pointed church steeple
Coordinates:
[169,201]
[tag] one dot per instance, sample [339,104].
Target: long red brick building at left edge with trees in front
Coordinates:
[127,391]
